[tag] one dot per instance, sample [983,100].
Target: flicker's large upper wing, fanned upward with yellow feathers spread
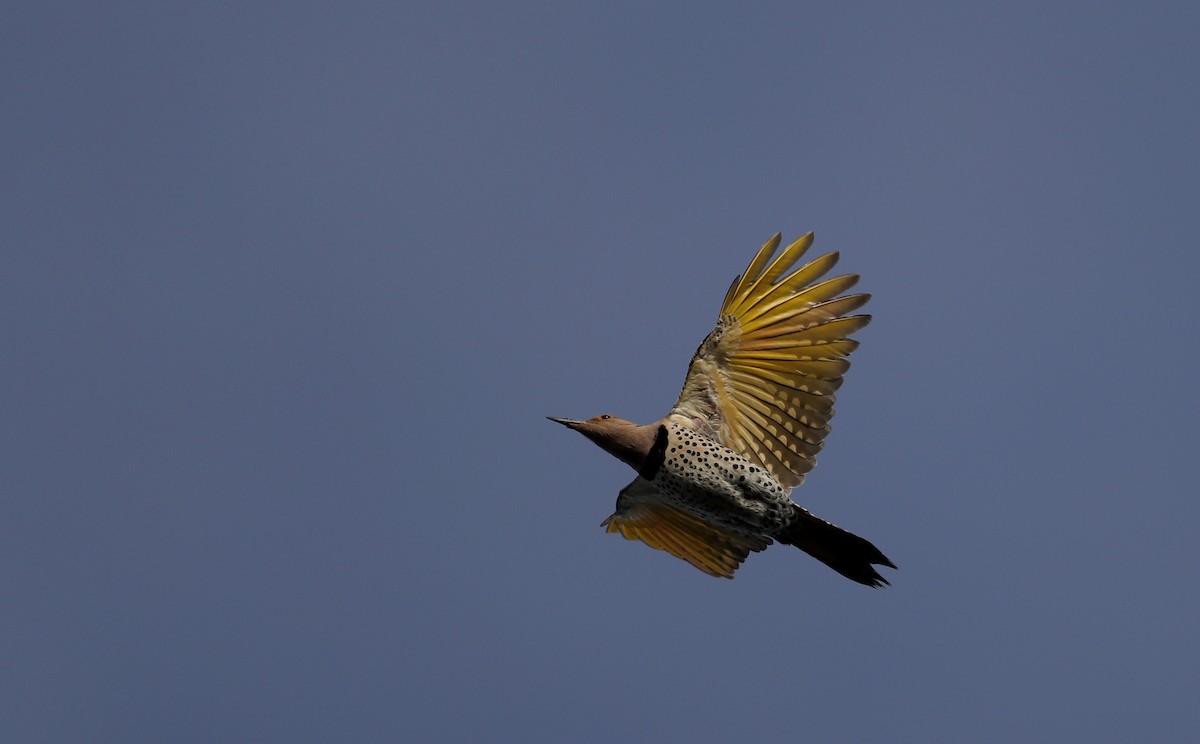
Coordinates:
[764,382]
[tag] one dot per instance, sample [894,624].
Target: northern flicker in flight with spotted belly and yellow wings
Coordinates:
[715,475]
